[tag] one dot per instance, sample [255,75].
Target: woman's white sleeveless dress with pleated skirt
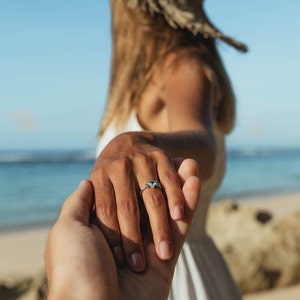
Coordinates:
[201,272]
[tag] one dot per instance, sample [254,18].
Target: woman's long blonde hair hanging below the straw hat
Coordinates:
[140,43]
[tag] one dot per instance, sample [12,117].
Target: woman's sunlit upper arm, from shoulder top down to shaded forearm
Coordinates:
[188,94]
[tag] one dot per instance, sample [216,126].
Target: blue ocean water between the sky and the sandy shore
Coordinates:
[33,185]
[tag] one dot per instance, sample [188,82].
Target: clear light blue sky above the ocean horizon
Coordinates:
[54,70]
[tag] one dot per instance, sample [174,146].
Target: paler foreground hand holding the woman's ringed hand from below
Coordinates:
[80,264]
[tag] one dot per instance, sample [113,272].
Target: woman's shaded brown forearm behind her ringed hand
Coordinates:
[191,144]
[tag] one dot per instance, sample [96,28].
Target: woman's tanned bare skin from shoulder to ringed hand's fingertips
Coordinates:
[176,111]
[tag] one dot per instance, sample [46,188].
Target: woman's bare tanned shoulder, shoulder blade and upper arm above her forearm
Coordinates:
[178,96]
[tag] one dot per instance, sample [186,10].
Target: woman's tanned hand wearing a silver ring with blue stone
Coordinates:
[123,168]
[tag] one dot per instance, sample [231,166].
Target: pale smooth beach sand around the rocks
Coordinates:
[22,251]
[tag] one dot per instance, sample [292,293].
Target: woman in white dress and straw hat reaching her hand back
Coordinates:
[169,97]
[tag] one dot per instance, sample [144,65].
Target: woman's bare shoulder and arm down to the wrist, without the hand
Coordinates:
[183,124]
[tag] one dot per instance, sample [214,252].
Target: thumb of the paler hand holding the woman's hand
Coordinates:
[80,203]
